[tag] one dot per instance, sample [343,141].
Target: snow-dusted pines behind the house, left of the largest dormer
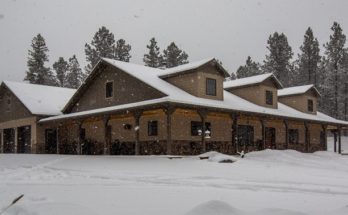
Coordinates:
[68,73]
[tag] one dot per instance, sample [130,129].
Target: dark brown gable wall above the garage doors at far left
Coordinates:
[14,110]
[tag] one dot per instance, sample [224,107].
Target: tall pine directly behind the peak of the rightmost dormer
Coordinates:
[309,59]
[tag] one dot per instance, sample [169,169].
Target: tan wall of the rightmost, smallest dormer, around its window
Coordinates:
[299,102]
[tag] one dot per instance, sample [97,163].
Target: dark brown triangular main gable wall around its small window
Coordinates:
[126,89]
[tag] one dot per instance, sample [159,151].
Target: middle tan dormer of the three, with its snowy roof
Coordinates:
[259,89]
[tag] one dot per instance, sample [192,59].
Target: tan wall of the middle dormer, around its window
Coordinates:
[257,94]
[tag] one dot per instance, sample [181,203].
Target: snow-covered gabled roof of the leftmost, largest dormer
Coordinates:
[191,66]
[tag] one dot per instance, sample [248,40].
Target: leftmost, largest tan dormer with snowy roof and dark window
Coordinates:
[202,79]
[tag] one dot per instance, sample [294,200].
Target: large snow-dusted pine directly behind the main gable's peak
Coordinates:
[102,45]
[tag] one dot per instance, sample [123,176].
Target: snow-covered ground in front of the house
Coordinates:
[267,182]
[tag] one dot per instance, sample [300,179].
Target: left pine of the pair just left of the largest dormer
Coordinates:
[153,58]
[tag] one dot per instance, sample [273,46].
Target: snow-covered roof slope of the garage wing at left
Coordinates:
[40,99]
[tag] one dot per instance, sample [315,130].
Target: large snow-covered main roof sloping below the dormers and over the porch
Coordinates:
[151,76]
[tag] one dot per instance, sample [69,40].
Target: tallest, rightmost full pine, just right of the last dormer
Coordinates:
[335,52]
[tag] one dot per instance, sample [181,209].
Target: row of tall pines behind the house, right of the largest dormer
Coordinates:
[328,72]
